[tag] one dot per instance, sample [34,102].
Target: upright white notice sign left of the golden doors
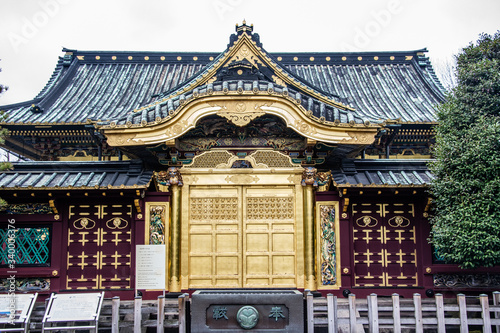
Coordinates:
[150,267]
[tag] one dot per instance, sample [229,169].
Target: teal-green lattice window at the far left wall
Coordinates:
[31,245]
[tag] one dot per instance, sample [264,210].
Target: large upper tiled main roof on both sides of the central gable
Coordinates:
[109,86]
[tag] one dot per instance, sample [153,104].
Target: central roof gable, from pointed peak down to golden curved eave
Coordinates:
[243,84]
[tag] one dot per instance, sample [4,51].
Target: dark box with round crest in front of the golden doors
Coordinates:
[244,310]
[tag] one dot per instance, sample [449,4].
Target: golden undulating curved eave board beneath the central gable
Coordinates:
[240,110]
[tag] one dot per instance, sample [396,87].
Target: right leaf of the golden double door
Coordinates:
[269,237]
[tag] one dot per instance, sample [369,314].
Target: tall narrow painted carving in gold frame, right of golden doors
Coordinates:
[328,246]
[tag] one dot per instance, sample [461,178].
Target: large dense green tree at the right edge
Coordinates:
[466,221]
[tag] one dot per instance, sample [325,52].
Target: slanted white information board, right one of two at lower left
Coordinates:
[74,307]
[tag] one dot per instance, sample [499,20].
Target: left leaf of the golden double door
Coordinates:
[214,238]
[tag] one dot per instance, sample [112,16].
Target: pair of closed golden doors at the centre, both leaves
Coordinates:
[242,236]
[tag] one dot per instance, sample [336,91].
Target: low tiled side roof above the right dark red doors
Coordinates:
[383,173]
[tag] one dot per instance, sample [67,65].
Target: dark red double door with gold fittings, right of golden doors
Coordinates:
[384,245]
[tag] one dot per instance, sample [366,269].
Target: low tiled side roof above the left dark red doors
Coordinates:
[76,175]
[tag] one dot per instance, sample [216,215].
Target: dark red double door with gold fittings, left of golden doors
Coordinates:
[99,247]
